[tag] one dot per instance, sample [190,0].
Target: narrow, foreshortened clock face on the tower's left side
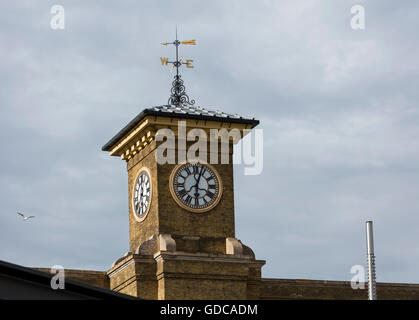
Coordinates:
[142,194]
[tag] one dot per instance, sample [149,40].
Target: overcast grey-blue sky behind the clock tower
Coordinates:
[339,109]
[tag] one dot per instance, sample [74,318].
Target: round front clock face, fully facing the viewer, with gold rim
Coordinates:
[196,187]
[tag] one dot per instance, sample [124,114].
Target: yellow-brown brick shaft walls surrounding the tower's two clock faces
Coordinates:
[165,216]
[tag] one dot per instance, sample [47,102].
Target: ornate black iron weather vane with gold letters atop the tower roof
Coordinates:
[178,95]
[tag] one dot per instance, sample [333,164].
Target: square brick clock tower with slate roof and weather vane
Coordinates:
[181,214]
